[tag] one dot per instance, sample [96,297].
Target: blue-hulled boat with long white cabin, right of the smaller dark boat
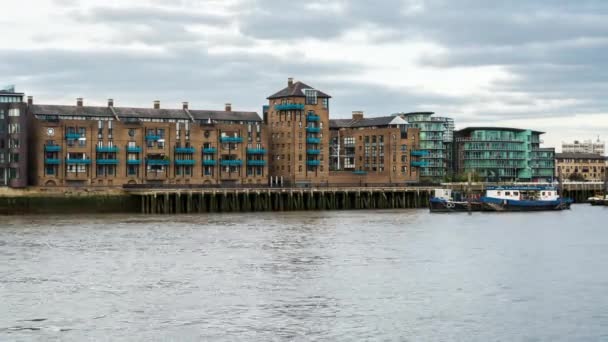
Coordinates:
[524,198]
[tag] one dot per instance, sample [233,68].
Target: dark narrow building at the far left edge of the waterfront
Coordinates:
[13,139]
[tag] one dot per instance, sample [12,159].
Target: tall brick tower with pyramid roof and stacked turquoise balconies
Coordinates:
[297,120]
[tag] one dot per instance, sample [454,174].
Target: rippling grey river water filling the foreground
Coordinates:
[306,276]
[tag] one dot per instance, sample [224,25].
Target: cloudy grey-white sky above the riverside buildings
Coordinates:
[533,64]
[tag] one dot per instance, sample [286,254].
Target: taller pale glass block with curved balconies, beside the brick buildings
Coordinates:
[436,138]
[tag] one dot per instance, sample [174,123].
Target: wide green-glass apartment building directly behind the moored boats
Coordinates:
[497,154]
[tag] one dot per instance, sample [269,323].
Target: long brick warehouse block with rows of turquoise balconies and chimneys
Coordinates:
[110,146]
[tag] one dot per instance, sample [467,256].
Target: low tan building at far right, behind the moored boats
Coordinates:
[580,166]
